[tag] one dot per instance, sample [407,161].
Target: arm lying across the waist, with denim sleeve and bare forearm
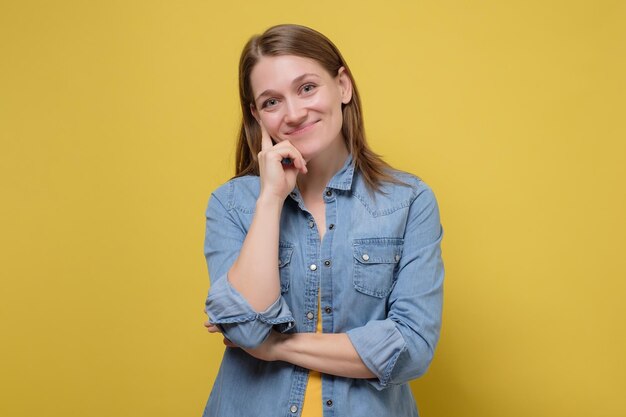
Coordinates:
[390,351]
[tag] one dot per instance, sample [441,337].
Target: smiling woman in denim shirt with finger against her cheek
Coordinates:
[325,263]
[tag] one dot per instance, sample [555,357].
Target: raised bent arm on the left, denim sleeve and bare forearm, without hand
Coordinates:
[244,299]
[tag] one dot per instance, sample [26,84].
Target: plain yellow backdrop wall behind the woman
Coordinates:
[118,118]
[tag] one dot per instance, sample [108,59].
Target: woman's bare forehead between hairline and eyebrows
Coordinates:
[276,72]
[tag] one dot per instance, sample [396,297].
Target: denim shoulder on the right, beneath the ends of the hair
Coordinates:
[408,190]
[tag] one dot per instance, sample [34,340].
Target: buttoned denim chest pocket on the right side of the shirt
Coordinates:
[375,262]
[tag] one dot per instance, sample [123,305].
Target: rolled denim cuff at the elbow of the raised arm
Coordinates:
[240,324]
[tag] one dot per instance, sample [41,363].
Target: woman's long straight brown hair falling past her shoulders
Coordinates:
[307,43]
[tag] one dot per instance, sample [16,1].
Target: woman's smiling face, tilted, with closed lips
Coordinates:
[296,99]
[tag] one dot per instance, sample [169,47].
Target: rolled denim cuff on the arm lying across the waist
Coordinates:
[379,344]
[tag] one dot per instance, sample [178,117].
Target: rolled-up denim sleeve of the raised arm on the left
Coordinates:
[225,306]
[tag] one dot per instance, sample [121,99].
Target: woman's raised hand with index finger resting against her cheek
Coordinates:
[278,179]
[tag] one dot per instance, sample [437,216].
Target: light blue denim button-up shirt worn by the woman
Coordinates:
[377,272]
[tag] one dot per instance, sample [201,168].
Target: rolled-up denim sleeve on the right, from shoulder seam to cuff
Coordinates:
[401,347]
